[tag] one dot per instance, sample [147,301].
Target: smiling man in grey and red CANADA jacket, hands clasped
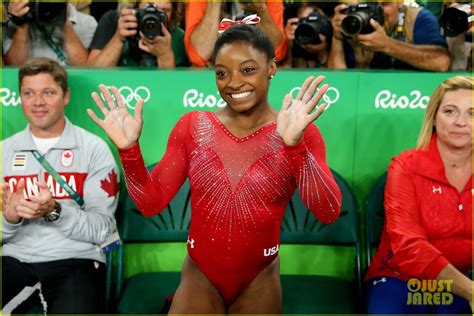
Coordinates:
[51,233]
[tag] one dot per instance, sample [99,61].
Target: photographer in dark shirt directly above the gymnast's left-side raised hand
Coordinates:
[119,42]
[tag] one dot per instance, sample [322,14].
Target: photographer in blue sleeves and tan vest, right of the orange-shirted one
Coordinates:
[408,39]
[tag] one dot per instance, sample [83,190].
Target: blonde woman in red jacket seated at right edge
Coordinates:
[427,237]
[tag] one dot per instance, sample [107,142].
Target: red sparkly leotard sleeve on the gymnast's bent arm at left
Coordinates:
[153,191]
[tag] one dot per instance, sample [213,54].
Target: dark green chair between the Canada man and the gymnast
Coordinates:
[145,293]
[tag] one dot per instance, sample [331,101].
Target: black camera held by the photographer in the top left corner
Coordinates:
[43,13]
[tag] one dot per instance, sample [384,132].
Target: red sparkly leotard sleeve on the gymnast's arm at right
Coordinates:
[317,187]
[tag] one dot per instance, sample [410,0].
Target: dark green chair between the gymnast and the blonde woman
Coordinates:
[320,294]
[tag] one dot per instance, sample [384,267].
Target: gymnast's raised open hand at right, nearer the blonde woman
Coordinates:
[296,115]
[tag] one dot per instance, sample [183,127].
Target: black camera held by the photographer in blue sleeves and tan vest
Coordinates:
[358,18]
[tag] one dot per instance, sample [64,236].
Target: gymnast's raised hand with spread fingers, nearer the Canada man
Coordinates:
[122,128]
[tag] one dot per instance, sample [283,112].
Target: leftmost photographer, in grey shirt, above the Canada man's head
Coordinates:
[65,41]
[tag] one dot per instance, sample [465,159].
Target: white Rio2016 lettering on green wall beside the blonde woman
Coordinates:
[385,99]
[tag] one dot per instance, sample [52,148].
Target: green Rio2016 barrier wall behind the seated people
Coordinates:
[372,117]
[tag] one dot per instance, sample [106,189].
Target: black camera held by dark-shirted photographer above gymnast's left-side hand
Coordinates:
[149,21]
